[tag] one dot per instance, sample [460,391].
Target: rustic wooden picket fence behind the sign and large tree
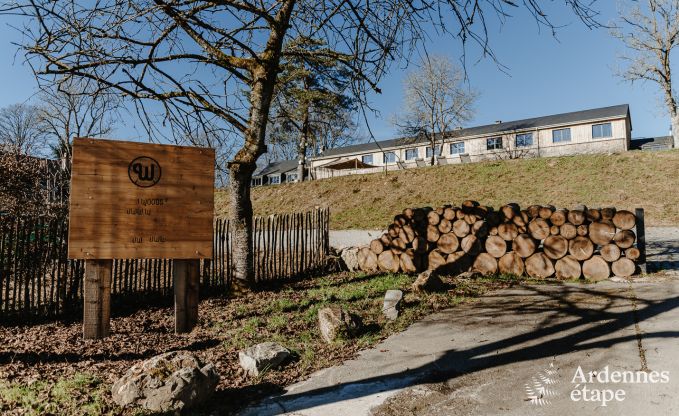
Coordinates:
[37,279]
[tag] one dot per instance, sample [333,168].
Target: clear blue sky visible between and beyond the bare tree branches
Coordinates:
[544,75]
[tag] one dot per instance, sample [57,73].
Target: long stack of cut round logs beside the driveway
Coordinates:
[540,241]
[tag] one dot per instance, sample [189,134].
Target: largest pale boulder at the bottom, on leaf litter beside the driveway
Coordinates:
[173,381]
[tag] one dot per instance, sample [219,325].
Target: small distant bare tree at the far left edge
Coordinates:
[21,131]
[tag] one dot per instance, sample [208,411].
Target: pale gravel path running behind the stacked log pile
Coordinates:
[662,245]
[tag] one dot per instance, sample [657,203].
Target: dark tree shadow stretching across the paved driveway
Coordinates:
[583,331]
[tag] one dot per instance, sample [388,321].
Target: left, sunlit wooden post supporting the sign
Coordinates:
[97,299]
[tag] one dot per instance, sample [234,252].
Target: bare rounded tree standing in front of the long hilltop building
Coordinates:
[436,101]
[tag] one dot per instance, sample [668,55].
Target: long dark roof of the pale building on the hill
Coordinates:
[529,123]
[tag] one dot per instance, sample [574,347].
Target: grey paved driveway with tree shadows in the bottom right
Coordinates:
[515,352]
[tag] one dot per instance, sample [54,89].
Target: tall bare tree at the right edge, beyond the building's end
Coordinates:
[651,32]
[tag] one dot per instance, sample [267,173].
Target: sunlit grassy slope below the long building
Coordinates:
[628,180]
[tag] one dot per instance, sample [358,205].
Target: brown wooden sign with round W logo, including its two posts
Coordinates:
[140,201]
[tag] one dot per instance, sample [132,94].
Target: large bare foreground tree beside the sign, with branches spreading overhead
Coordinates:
[201,59]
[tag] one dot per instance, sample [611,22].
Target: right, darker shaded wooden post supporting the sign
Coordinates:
[186,274]
